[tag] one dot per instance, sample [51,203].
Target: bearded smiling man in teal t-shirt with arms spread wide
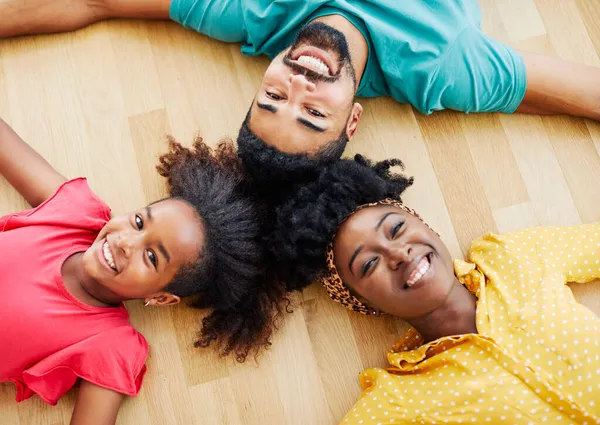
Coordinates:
[431,54]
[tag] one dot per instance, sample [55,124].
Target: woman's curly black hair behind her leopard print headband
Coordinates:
[305,223]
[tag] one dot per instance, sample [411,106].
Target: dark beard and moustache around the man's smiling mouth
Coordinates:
[322,36]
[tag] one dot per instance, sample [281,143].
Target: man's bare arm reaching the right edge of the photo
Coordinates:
[556,86]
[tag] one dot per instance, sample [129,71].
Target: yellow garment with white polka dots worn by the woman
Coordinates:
[535,359]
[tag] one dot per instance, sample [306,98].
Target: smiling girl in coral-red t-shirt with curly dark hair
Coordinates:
[67,267]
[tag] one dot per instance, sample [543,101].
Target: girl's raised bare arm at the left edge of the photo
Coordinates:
[25,169]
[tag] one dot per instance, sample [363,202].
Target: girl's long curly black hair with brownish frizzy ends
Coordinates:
[230,277]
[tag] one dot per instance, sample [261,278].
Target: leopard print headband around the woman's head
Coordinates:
[336,289]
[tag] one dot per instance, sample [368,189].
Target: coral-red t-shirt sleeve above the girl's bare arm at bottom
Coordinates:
[114,360]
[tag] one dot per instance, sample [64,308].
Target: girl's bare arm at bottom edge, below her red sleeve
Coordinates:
[96,405]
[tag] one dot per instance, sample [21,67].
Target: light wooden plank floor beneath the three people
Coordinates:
[97,102]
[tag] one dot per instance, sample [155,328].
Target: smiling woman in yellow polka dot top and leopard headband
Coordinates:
[497,339]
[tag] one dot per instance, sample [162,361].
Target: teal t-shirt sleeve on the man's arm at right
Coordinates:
[477,74]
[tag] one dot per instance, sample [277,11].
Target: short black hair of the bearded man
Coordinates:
[275,173]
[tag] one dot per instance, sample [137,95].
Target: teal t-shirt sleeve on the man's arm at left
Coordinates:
[219,19]
